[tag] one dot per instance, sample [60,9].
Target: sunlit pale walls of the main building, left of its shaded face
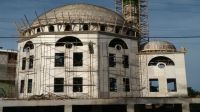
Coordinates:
[44,72]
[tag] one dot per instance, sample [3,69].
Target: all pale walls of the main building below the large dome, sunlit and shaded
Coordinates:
[95,71]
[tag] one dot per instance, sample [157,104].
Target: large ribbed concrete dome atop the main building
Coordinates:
[76,13]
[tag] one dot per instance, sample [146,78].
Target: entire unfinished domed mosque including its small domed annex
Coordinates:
[90,55]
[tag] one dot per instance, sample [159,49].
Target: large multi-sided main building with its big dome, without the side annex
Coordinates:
[101,42]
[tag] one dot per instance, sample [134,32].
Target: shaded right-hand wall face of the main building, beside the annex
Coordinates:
[118,72]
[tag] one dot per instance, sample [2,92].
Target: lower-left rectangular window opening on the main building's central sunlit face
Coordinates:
[58,84]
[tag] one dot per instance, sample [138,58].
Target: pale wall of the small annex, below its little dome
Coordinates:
[176,71]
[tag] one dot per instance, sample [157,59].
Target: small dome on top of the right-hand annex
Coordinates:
[158,46]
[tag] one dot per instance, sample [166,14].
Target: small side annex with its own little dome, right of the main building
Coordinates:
[162,70]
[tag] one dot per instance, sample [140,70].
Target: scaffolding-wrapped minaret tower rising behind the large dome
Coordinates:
[135,13]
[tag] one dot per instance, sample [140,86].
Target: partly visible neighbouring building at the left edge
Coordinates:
[8,61]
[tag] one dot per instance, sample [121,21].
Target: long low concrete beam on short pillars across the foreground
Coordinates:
[130,102]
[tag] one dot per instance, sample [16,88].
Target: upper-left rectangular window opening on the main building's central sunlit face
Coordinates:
[59,59]
